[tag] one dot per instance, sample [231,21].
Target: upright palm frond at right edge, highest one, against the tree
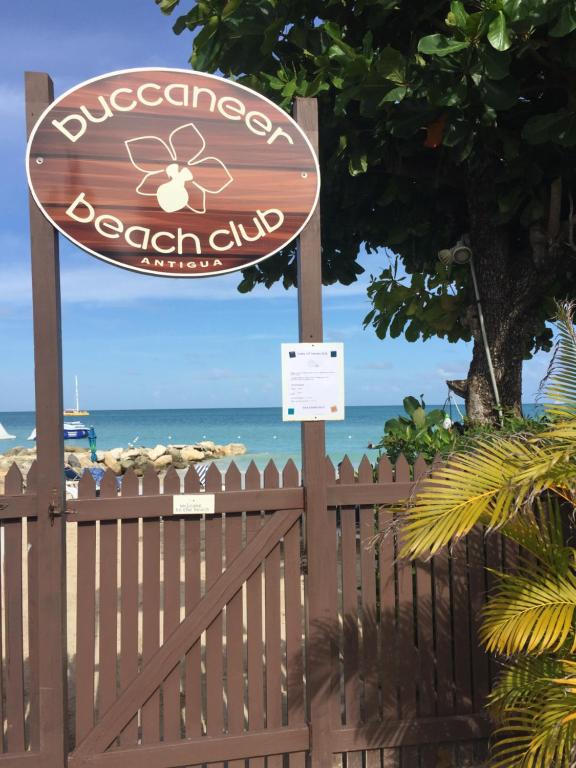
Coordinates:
[560,381]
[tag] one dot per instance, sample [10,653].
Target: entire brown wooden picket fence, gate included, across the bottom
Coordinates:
[191,641]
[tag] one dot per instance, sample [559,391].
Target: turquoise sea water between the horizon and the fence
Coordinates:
[261,430]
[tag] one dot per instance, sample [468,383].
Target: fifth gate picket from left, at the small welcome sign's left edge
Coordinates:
[171,604]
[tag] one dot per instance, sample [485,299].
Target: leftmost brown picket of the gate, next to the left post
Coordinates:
[85,625]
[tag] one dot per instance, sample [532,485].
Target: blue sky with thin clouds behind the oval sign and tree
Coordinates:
[144,342]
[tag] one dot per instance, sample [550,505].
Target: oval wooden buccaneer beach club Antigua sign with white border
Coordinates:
[172,172]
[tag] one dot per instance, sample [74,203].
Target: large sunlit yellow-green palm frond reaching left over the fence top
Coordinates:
[475,487]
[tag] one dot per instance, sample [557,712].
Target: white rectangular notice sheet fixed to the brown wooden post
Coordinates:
[312,382]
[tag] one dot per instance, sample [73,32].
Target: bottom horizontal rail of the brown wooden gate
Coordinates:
[201,751]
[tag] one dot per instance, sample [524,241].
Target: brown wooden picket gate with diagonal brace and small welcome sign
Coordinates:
[213,670]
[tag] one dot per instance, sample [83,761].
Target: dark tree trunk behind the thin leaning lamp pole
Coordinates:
[505,276]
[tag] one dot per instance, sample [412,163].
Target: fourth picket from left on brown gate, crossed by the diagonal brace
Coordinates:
[150,607]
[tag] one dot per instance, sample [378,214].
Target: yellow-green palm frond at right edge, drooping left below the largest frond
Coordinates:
[531,611]
